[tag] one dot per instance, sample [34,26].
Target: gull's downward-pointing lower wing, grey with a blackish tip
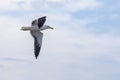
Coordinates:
[37,42]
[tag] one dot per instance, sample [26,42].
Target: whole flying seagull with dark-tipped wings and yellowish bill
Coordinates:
[35,29]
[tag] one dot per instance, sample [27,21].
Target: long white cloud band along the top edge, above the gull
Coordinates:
[64,5]
